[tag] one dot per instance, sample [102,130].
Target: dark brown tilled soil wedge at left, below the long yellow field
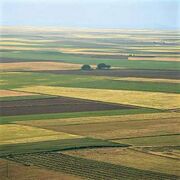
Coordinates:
[54,105]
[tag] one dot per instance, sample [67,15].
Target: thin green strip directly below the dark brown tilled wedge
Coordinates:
[11,119]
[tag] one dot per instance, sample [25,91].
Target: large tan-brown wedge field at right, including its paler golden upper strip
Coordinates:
[113,128]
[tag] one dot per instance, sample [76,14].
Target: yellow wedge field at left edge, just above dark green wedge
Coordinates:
[13,134]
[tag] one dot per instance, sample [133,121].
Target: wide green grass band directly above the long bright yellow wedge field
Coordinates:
[18,80]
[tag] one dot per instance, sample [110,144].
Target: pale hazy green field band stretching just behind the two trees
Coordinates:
[54,55]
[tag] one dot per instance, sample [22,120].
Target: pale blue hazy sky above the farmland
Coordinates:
[92,13]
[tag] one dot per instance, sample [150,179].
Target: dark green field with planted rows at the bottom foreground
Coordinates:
[90,169]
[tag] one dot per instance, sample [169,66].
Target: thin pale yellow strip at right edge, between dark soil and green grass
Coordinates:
[176,81]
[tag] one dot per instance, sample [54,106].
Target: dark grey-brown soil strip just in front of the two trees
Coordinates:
[146,73]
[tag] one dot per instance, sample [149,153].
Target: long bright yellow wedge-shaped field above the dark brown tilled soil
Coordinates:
[138,98]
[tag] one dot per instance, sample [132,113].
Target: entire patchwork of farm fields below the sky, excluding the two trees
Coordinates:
[60,122]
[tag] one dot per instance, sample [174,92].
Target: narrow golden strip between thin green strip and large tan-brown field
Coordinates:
[101,119]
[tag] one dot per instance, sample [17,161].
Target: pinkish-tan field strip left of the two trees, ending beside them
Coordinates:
[38,66]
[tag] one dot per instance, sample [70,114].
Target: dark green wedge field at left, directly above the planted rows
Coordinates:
[55,145]
